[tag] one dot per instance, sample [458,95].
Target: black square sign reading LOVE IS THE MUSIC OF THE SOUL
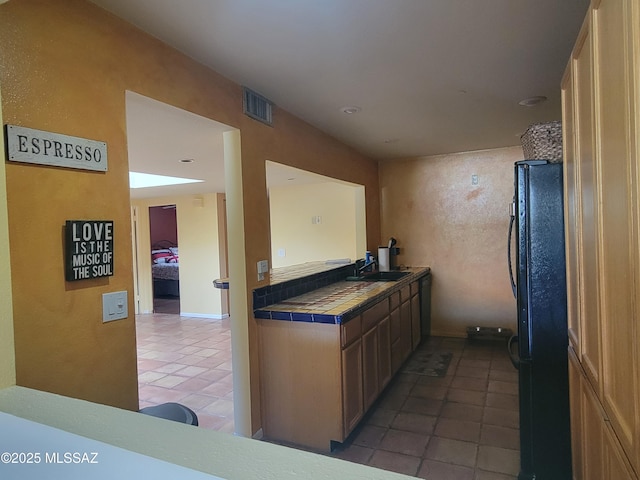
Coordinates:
[88,249]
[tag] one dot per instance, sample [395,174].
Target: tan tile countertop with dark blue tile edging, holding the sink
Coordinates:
[336,303]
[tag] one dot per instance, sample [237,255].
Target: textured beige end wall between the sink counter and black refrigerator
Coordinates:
[458,229]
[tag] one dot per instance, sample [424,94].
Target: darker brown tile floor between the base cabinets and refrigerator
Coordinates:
[463,426]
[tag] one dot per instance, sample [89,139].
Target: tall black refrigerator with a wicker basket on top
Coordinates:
[538,279]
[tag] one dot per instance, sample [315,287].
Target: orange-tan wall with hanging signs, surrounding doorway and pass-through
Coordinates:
[65,68]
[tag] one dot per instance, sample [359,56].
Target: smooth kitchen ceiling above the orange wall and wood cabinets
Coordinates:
[429,76]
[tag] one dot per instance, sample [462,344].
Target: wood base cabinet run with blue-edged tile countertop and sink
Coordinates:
[327,354]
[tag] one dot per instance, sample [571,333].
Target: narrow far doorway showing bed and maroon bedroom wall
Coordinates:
[163,234]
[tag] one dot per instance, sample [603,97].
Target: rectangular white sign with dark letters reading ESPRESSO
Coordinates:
[46,148]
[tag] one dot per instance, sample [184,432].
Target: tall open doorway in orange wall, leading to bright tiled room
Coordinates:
[162,141]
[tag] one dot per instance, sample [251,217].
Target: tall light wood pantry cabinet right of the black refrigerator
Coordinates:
[601,120]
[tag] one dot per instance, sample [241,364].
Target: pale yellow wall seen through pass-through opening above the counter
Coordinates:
[291,211]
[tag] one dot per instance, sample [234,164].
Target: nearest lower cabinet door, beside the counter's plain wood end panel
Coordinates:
[352,395]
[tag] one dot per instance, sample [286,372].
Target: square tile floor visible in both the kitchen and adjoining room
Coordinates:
[463,426]
